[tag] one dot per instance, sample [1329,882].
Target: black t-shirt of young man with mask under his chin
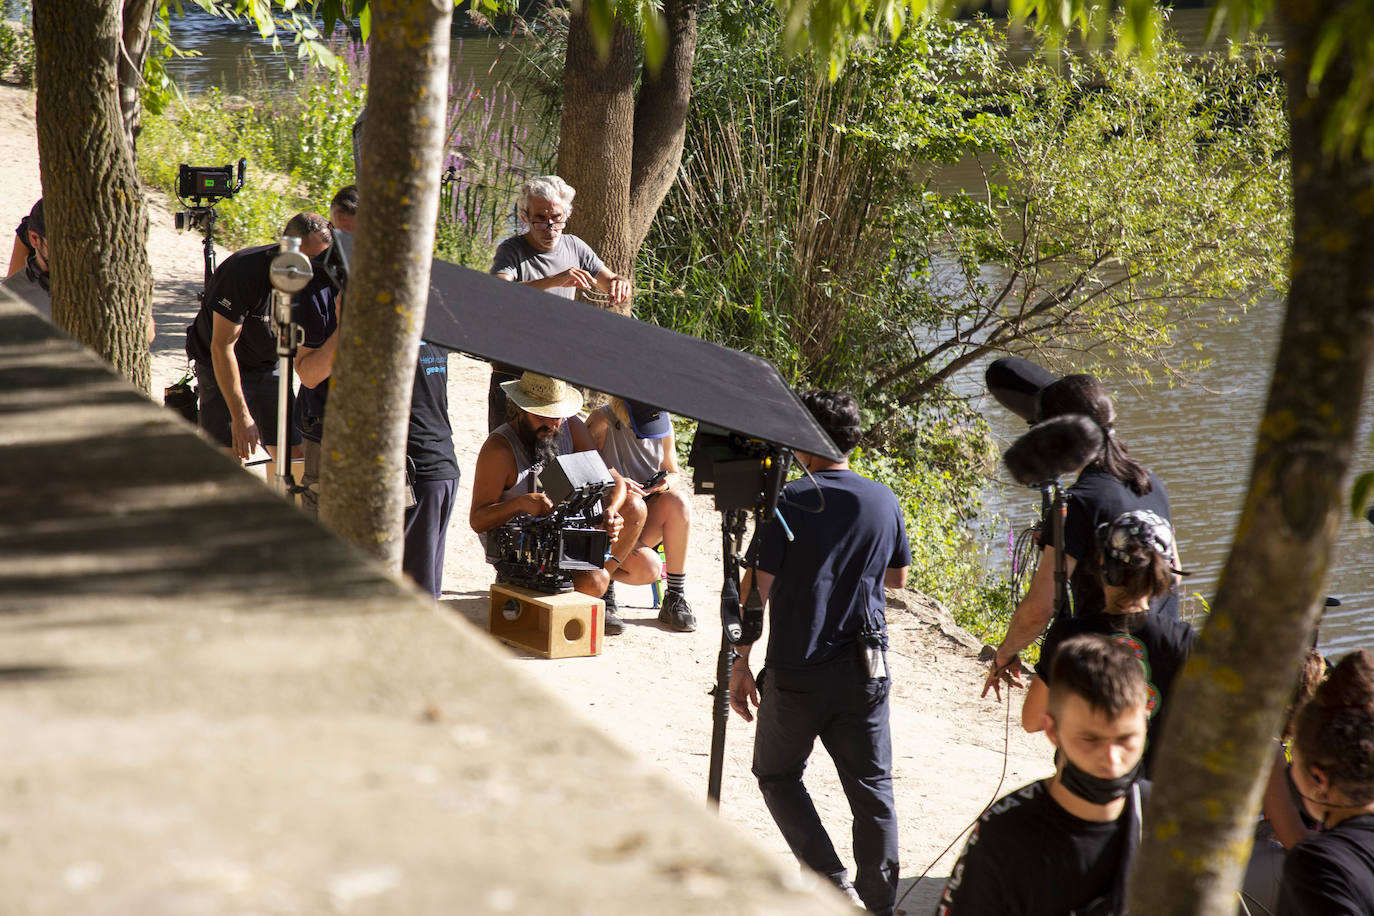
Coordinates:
[1030,858]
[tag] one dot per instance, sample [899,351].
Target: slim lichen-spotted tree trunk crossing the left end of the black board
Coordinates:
[365,431]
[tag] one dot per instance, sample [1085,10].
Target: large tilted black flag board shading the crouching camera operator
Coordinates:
[502,322]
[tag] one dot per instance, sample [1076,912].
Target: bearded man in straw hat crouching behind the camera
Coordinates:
[506,483]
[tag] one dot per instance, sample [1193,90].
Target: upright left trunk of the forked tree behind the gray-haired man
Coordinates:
[597,141]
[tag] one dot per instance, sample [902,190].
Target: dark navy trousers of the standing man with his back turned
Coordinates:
[848,712]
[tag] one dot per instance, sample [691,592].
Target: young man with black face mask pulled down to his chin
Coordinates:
[1064,845]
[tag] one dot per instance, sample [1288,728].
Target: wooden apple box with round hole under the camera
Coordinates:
[565,626]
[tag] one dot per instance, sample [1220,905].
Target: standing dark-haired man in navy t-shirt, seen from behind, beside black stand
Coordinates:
[826,667]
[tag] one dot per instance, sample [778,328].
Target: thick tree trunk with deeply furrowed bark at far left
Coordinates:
[94,208]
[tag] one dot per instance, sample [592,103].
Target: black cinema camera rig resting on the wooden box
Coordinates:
[541,554]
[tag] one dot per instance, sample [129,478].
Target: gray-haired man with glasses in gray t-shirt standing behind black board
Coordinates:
[549,260]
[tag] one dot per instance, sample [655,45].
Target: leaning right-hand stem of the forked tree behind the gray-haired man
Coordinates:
[662,122]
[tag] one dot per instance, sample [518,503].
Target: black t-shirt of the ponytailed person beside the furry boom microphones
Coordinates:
[1094,499]
